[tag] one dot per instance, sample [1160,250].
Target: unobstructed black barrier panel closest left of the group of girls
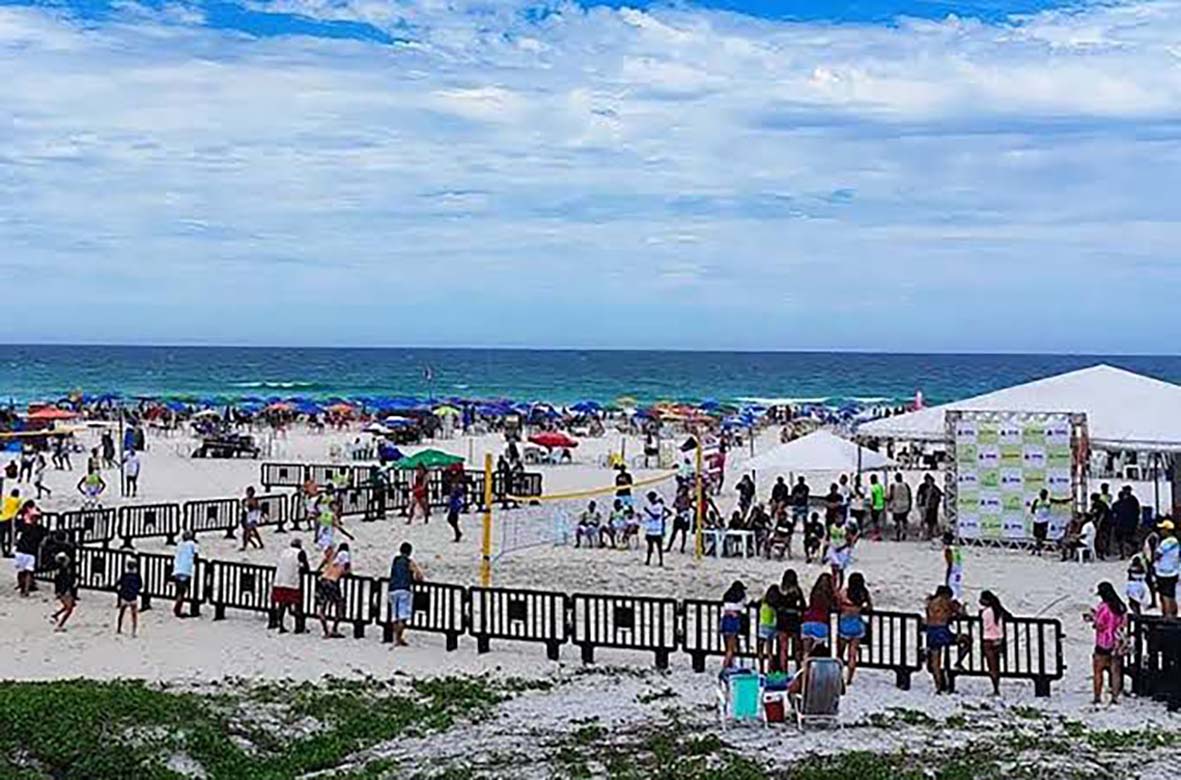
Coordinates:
[625,622]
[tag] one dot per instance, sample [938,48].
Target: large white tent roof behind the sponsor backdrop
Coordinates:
[1125,411]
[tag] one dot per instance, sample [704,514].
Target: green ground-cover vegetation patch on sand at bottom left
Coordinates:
[89,731]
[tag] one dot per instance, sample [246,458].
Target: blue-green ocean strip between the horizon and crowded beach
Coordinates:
[32,373]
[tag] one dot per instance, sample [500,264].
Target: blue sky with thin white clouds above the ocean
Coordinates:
[899,175]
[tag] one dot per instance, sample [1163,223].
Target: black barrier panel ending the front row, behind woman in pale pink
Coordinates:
[1032,651]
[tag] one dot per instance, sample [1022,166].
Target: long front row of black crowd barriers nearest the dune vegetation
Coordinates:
[893,642]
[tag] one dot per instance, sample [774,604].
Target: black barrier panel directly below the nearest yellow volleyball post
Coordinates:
[521,616]
